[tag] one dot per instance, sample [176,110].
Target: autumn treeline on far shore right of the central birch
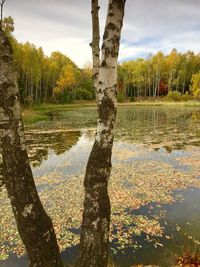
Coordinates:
[159,75]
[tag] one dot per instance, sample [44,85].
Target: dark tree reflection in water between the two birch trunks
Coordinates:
[39,143]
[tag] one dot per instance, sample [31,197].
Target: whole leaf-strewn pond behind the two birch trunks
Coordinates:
[154,186]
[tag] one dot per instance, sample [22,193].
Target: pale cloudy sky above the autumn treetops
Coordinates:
[65,25]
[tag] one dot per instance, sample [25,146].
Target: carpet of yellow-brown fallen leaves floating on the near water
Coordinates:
[133,184]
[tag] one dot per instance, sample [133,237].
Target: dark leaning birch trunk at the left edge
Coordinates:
[34,225]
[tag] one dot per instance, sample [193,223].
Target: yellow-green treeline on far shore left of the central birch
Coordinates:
[42,79]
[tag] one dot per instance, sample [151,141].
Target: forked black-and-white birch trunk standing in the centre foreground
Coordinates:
[94,243]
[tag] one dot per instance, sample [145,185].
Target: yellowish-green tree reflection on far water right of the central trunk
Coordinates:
[169,127]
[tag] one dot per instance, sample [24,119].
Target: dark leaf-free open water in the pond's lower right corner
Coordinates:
[185,215]
